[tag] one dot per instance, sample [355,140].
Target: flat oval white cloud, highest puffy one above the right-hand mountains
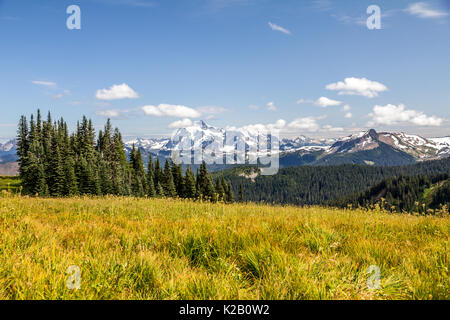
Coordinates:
[358,86]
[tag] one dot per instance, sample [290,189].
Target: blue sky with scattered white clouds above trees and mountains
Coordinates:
[307,67]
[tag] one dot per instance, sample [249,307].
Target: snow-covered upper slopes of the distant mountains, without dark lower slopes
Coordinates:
[201,135]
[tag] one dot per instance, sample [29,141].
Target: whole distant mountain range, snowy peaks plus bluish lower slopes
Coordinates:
[369,147]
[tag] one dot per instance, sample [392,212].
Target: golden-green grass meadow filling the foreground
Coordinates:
[130,248]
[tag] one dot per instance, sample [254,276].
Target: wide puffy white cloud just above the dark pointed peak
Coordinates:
[392,115]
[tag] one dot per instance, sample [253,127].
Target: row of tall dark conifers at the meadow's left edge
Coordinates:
[54,163]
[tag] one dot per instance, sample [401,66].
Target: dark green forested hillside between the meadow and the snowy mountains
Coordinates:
[309,185]
